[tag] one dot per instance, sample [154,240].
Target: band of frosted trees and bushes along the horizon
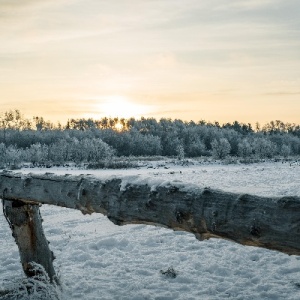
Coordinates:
[41,142]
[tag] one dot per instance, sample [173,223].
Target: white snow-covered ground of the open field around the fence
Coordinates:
[99,260]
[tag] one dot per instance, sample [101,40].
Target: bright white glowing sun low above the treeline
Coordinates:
[121,107]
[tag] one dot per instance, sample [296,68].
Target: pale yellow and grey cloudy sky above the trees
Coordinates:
[215,60]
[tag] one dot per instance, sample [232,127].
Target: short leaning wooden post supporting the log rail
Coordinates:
[26,225]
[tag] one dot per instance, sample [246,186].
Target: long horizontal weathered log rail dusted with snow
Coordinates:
[272,223]
